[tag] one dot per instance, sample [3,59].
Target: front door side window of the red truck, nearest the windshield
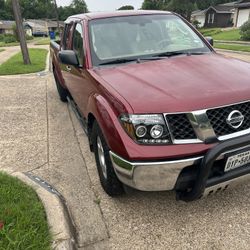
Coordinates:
[78,42]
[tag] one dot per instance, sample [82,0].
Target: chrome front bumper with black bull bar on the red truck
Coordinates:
[165,175]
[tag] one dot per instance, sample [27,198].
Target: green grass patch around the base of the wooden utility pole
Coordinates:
[15,65]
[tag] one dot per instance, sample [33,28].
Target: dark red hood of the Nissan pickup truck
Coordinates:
[179,84]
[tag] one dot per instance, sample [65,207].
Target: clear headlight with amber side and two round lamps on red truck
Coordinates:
[146,129]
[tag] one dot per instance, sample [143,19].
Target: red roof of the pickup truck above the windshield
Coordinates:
[97,15]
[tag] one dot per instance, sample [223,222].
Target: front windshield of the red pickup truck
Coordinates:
[141,36]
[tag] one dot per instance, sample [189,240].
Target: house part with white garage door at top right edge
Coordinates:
[242,12]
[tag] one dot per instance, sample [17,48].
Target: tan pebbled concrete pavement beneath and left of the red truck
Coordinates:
[41,135]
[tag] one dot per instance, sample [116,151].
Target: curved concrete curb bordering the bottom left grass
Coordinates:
[58,217]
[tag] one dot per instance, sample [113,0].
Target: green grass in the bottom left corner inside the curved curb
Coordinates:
[23,223]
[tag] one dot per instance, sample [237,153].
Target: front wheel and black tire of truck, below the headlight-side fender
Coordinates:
[109,181]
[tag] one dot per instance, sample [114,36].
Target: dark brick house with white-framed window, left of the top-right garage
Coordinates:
[221,15]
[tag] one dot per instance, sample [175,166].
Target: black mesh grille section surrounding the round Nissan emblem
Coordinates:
[218,117]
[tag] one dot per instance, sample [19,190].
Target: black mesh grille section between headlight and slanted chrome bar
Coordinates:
[180,127]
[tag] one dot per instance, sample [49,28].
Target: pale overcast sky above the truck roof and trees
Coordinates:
[105,5]
